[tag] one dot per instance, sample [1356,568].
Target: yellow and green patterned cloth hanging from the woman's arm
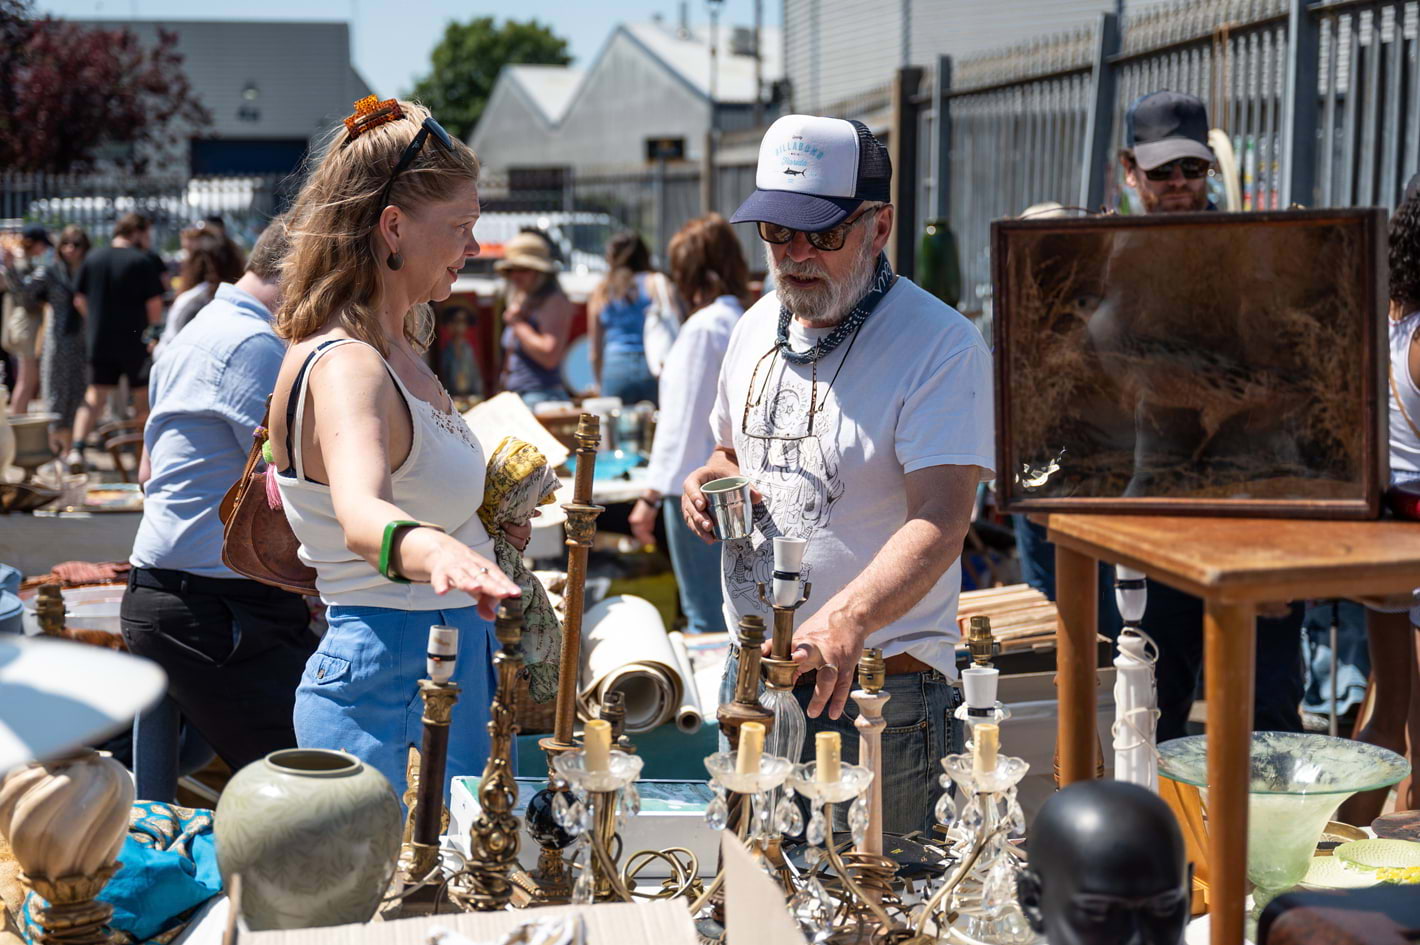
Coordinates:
[519,481]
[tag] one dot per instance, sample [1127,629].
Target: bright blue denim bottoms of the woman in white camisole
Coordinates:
[360,693]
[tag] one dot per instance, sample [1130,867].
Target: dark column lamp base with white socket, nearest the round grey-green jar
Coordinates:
[421,853]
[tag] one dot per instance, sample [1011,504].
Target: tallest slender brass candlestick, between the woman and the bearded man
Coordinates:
[553,882]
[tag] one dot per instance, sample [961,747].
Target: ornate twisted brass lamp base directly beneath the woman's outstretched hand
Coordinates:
[493,841]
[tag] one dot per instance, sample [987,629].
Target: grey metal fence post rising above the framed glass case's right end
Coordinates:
[1301,106]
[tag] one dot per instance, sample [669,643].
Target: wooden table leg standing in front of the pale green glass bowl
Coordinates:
[1230,633]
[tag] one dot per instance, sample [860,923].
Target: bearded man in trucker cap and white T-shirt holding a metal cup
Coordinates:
[860,407]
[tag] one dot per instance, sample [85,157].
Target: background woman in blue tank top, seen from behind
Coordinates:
[617,322]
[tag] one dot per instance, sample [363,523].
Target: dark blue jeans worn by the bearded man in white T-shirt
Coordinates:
[921,731]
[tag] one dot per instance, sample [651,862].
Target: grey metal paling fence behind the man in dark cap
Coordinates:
[1320,104]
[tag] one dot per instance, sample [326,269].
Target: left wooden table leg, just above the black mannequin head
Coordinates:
[1077,598]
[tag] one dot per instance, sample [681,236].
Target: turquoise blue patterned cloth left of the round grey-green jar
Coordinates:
[170,869]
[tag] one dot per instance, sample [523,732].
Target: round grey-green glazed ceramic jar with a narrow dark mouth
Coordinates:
[315,836]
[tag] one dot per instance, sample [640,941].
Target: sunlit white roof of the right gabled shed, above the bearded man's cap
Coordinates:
[689,56]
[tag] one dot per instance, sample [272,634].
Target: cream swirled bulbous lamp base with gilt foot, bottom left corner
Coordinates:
[66,822]
